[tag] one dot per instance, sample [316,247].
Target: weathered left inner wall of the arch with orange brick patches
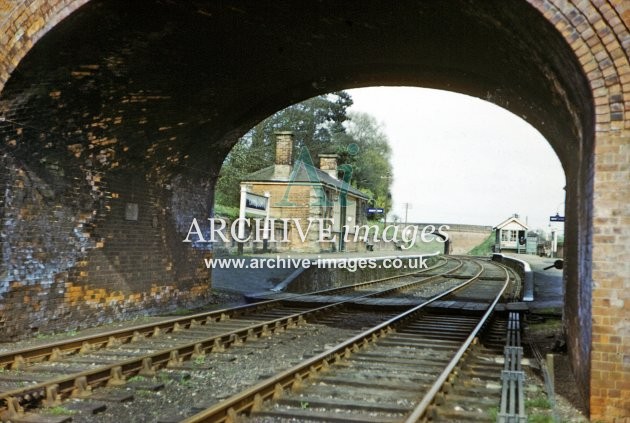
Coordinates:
[75,167]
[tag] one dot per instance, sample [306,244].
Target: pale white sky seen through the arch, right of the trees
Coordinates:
[459,159]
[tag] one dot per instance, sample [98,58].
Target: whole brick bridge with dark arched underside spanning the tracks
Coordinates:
[115,117]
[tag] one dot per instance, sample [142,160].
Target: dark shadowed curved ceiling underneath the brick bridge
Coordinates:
[178,82]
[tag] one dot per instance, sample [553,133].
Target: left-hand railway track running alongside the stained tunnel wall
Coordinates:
[73,368]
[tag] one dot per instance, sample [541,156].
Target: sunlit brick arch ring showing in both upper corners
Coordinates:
[597,32]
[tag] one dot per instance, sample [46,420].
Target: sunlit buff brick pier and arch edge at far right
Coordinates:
[598,34]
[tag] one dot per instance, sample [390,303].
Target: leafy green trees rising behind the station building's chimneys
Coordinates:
[323,124]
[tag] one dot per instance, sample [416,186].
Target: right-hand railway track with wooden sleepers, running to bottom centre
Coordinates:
[394,371]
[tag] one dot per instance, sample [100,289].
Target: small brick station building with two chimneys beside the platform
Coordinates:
[298,190]
